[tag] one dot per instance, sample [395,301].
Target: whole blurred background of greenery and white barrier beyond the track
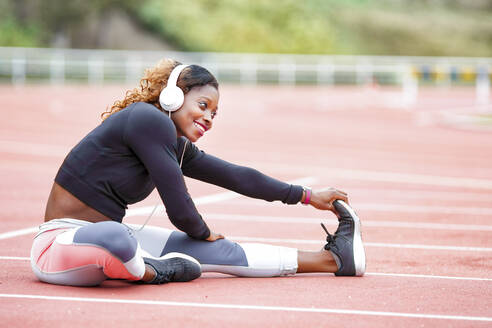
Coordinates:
[395,43]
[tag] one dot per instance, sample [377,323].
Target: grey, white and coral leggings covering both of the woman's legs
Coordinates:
[128,244]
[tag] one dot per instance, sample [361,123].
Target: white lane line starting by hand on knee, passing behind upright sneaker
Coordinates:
[367,244]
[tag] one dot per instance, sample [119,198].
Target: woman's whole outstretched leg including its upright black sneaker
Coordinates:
[343,253]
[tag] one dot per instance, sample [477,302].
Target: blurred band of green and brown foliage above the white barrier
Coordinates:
[417,27]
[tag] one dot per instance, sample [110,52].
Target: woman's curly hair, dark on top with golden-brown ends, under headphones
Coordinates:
[155,79]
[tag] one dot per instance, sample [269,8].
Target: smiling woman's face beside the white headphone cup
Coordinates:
[199,108]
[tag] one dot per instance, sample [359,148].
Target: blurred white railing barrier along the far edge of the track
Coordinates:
[58,66]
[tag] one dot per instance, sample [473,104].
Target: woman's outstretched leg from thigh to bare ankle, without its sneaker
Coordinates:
[239,259]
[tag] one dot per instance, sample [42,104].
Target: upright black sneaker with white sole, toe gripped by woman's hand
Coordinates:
[346,244]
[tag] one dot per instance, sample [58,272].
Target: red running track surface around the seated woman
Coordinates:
[416,187]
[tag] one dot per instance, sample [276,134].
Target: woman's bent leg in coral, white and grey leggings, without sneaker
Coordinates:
[87,255]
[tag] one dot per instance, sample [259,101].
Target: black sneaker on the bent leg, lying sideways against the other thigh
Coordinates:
[174,267]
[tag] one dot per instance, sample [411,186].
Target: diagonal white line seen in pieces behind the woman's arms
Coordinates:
[209,199]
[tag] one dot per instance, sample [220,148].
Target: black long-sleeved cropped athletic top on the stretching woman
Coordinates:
[137,149]
